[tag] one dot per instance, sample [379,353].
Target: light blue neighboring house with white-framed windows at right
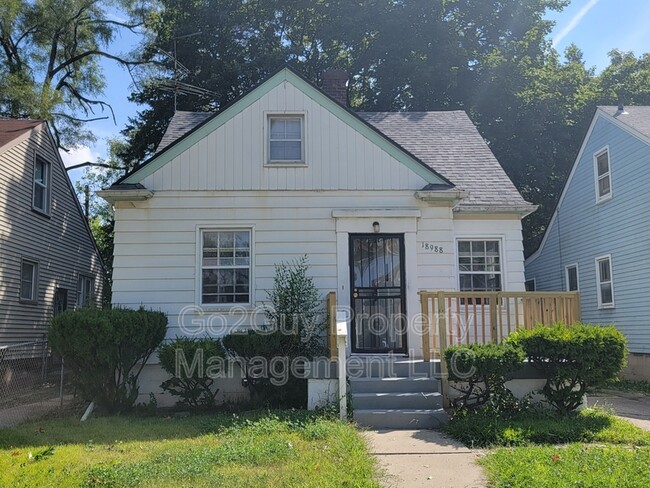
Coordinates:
[598,239]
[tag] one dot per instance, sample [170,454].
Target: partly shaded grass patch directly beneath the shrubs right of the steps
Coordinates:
[483,430]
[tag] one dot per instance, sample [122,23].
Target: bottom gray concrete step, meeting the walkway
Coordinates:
[401,418]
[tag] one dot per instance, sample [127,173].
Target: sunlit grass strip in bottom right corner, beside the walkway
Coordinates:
[574,465]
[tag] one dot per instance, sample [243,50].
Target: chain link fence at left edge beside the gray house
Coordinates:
[32,382]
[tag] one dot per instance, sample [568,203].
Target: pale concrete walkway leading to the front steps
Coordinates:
[425,459]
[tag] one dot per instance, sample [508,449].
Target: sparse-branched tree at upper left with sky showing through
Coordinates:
[50,52]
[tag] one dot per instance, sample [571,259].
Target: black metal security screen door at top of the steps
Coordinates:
[377,279]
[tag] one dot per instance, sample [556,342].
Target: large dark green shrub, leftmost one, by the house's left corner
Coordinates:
[106,351]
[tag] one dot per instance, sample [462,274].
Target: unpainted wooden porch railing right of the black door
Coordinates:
[455,318]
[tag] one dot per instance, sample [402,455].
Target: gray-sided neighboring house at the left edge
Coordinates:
[48,258]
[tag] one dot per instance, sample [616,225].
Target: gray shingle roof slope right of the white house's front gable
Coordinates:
[450,143]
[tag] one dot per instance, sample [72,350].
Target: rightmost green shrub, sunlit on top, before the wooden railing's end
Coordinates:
[572,359]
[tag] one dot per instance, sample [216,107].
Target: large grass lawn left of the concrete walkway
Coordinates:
[278,449]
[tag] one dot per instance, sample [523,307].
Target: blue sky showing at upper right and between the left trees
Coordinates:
[596,26]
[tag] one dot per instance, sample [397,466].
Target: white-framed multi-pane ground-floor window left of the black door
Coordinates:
[225,266]
